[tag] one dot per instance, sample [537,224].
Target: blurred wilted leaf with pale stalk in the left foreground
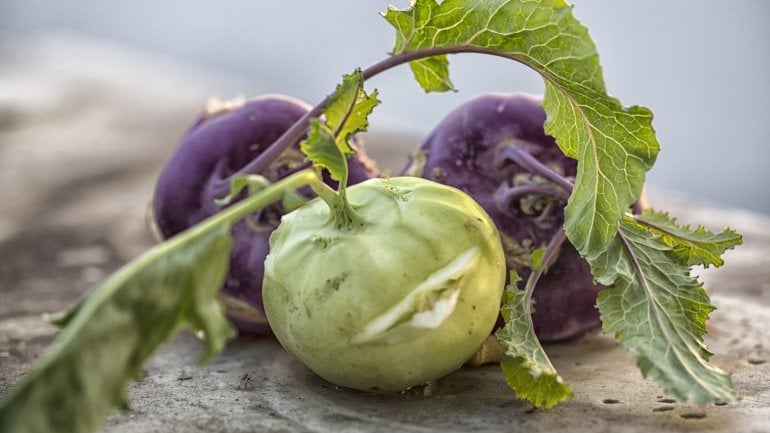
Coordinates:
[112,331]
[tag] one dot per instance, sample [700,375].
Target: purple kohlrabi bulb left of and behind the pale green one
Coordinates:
[216,147]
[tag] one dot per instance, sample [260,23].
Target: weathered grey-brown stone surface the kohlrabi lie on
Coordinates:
[79,152]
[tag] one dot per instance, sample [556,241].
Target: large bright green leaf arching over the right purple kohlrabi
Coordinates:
[614,145]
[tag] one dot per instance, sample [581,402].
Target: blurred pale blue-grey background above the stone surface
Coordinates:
[702,67]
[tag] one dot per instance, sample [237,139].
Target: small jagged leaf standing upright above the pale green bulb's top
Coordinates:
[347,111]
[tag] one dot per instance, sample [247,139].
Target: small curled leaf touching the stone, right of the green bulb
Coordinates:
[526,367]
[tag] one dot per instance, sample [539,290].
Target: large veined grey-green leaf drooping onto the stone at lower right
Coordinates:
[658,311]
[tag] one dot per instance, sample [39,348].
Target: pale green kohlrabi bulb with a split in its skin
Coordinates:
[324,285]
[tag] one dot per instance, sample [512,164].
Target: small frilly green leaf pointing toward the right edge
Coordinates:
[690,246]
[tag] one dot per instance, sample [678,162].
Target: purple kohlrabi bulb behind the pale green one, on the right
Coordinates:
[471,150]
